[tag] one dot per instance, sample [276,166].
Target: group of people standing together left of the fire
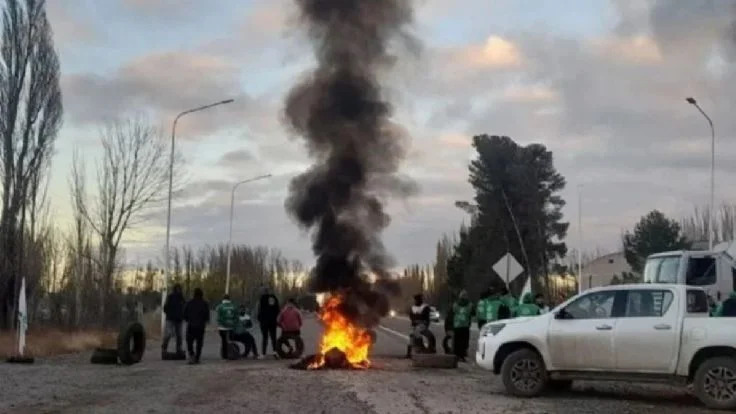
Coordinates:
[233,323]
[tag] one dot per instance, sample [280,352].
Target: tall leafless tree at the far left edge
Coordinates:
[30,117]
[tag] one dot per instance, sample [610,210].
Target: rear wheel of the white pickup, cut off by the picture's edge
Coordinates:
[715,383]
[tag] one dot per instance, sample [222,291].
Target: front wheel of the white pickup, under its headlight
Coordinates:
[524,374]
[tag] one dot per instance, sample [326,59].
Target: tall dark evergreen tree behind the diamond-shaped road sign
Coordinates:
[519,211]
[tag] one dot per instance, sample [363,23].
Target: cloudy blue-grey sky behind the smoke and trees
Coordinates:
[600,82]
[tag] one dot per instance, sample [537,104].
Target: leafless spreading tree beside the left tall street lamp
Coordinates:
[131,177]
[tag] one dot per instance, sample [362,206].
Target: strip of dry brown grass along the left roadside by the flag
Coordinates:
[50,342]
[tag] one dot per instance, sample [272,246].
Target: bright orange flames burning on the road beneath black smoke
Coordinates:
[342,334]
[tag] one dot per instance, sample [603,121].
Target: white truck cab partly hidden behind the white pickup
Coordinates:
[714,271]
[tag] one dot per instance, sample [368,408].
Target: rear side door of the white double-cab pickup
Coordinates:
[647,335]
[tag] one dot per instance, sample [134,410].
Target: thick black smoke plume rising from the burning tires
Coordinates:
[345,120]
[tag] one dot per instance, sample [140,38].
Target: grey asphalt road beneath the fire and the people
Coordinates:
[70,384]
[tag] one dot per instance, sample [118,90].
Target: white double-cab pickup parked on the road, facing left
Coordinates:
[639,333]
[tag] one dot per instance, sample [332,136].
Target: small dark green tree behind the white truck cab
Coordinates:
[654,233]
